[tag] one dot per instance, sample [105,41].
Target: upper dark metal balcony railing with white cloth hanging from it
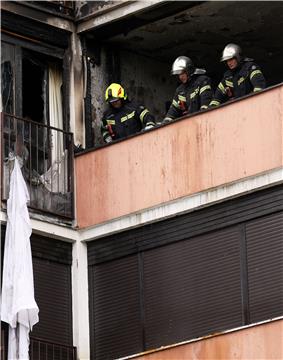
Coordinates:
[45,155]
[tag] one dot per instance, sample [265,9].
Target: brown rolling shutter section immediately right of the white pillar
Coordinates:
[115,309]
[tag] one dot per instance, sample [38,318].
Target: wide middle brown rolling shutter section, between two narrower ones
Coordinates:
[192,288]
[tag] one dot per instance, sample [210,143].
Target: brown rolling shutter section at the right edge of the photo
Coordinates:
[265,266]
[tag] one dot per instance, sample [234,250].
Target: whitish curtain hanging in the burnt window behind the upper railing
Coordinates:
[55,179]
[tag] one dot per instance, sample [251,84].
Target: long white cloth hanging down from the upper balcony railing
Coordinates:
[18,307]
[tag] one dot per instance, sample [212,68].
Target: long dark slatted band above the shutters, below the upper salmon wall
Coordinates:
[186,226]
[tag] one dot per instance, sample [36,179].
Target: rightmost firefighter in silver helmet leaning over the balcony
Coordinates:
[242,77]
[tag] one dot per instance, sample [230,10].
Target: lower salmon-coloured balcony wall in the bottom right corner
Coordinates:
[255,343]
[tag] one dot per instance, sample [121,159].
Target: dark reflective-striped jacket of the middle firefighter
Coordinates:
[193,96]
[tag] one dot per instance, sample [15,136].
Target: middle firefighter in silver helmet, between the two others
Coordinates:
[193,94]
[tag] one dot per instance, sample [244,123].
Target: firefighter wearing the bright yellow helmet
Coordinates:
[124,117]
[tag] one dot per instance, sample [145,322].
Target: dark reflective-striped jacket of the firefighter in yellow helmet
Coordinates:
[127,120]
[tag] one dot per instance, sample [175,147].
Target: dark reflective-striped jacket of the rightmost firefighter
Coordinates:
[238,82]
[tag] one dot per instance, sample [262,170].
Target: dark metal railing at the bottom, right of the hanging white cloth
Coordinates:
[41,349]
